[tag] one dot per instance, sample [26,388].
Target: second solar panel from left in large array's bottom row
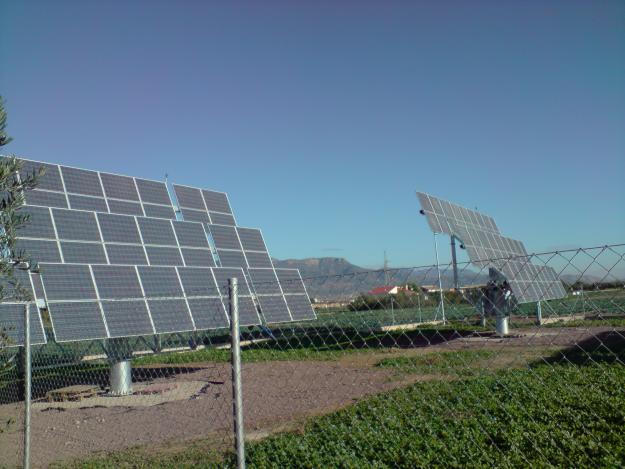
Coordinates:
[79,320]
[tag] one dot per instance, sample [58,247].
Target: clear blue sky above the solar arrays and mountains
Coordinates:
[322,119]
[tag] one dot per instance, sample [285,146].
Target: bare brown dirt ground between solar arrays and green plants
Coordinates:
[275,393]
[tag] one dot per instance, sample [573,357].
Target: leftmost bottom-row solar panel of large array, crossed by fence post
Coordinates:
[12,325]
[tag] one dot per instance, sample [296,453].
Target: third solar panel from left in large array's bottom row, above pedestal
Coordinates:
[127,318]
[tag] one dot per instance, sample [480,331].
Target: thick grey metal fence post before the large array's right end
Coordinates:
[237,391]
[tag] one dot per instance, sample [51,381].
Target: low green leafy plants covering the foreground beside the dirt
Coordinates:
[546,415]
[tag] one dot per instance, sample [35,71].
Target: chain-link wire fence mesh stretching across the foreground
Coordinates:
[399,369]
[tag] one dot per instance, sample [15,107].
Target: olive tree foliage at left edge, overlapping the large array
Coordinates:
[13,183]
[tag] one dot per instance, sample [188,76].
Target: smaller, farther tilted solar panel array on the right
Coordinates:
[486,247]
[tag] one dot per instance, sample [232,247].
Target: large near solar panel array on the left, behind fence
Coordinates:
[117,261]
